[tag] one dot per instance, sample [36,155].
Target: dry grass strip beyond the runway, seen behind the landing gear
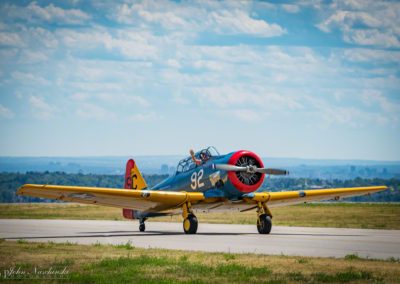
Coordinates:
[339,215]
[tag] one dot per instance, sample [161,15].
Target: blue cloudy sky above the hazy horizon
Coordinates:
[307,79]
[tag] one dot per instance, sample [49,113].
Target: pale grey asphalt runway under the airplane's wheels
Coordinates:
[301,241]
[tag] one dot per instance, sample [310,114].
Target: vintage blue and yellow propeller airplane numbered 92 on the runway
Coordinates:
[204,181]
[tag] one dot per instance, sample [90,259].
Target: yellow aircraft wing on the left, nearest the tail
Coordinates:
[143,200]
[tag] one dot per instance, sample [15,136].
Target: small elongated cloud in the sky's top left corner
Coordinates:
[35,13]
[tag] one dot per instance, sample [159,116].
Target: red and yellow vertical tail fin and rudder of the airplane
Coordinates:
[135,181]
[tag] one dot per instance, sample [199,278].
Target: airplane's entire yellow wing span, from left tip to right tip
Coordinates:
[162,201]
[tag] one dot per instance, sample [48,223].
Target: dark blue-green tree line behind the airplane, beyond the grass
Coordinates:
[10,182]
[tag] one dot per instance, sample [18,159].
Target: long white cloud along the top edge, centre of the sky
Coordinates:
[229,17]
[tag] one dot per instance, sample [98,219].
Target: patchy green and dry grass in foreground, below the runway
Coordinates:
[120,264]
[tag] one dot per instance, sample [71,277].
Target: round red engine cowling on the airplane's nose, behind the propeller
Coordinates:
[243,181]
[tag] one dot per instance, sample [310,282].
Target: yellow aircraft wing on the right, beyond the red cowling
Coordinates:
[275,199]
